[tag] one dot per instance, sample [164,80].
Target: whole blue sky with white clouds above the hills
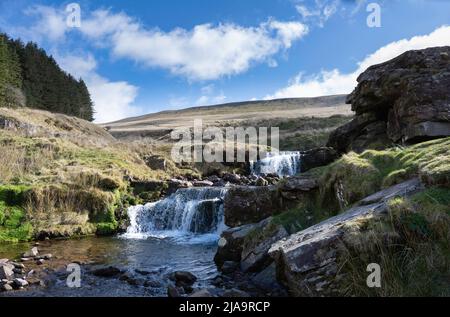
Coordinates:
[145,56]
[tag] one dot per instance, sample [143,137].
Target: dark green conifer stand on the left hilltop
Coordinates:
[31,78]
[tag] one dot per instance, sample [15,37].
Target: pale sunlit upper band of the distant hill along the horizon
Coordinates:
[161,123]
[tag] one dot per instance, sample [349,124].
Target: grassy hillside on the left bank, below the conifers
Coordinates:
[64,176]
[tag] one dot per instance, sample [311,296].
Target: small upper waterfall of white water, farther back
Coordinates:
[281,163]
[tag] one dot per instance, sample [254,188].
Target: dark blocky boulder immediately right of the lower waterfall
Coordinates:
[249,204]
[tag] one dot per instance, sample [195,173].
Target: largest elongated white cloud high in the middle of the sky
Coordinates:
[204,53]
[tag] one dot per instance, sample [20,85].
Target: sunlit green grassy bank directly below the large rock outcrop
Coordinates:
[356,176]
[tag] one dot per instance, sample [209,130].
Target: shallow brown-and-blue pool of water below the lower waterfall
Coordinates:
[156,257]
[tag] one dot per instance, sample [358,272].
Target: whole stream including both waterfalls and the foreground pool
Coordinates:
[177,233]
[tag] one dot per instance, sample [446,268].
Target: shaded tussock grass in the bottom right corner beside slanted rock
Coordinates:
[412,247]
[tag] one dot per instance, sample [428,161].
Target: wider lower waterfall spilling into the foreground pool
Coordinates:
[196,213]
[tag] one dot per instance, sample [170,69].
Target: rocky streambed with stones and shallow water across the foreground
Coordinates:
[117,267]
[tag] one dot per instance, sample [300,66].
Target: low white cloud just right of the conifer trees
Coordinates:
[113,100]
